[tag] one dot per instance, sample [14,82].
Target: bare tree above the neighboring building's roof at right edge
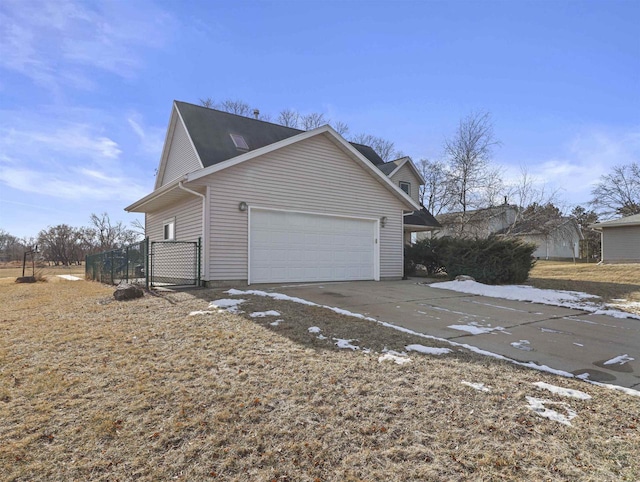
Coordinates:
[618,193]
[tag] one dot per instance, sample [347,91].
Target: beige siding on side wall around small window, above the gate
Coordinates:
[188,219]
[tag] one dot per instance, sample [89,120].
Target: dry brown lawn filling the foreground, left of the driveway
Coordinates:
[93,389]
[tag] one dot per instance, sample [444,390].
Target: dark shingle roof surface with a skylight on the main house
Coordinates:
[211,130]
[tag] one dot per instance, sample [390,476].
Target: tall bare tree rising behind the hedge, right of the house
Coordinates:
[469,154]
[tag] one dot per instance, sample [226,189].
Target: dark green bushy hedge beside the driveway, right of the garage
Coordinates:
[490,261]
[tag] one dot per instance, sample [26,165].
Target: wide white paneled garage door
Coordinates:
[291,247]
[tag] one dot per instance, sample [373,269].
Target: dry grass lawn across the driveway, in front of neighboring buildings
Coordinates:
[609,281]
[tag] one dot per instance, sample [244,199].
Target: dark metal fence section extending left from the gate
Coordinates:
[129,264]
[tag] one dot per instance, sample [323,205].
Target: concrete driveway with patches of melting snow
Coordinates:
[561,338]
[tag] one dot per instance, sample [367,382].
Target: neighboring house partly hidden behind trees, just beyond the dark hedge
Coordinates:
[557,238]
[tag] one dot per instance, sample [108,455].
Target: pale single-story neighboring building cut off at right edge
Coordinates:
[620,239]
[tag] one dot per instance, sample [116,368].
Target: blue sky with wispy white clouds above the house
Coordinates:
[86,87]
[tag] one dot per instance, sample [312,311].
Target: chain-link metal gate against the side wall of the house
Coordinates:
[174,263]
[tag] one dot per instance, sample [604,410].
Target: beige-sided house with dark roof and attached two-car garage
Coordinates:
[276,204]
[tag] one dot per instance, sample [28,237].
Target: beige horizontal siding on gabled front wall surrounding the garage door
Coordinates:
[310,176]
